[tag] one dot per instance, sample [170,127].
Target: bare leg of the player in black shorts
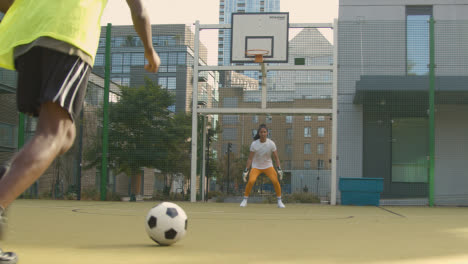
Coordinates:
[54,136]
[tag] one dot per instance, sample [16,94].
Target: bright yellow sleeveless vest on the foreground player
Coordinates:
[73,21]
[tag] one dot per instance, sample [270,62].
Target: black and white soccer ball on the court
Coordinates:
[166,223]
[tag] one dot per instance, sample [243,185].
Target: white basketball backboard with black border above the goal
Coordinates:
[260,31]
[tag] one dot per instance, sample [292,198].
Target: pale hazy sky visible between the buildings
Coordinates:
[207,12]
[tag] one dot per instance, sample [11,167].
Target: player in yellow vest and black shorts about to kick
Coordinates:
[52,44]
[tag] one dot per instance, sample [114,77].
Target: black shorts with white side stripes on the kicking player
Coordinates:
[46,75]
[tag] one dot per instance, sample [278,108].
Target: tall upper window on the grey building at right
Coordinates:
[417,39]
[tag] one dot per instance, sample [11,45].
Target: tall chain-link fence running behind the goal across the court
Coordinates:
[385,73]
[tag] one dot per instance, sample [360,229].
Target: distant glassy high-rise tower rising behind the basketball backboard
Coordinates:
[226,8]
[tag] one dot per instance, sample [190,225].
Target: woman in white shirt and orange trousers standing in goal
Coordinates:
[260,162]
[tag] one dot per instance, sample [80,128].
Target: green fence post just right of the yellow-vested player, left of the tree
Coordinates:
[105,125]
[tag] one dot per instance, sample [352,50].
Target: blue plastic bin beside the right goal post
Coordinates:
[360,191]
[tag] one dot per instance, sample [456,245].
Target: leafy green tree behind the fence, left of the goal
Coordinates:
[144,133]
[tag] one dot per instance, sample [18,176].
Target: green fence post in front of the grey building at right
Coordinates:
[431,110]
